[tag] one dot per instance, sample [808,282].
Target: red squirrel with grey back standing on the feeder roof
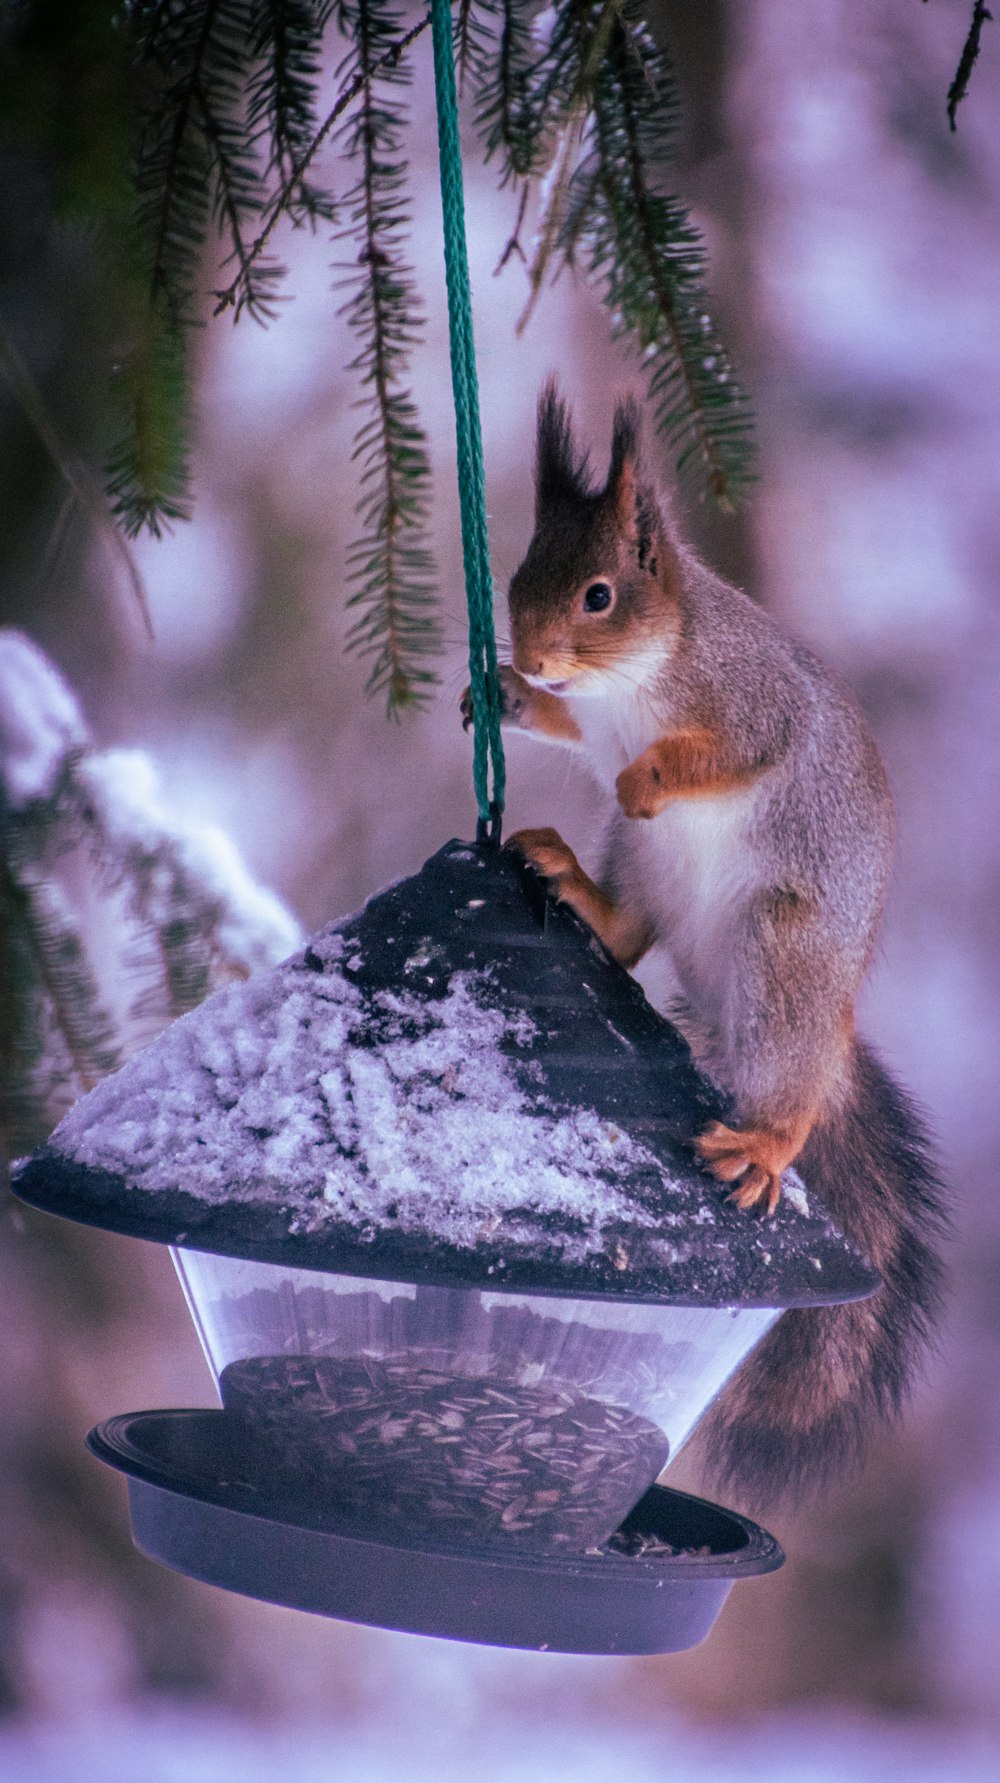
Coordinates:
[751,839]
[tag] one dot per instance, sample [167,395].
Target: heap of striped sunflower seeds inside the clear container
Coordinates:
[407,1445]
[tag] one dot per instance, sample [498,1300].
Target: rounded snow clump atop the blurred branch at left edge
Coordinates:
[40,723]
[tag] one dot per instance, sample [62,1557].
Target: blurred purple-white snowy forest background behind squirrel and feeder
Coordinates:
[855,256]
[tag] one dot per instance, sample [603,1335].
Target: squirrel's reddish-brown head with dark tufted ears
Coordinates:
[594,598]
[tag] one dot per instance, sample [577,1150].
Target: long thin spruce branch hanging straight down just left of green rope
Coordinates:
[391,564]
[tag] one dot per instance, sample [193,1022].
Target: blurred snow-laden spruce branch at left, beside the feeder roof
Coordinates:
[113,919]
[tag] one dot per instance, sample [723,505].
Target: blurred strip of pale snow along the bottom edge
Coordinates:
[436,1745]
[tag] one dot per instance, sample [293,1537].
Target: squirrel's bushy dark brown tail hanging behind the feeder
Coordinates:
[803,1406]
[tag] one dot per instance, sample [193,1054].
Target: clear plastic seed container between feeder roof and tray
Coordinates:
[509,1418]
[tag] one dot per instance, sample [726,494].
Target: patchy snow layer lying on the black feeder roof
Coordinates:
[293,1089]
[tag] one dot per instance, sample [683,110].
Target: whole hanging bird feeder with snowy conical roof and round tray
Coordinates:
[430,1196]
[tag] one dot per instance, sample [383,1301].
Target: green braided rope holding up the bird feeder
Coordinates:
[484,673]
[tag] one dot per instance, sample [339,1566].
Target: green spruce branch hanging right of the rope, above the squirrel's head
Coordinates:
[580,106]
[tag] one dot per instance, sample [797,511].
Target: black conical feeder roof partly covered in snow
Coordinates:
[454,1087]
